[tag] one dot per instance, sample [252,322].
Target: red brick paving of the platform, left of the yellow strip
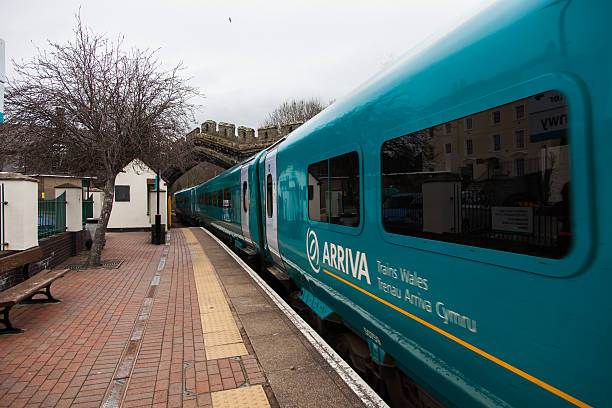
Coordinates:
[115,337]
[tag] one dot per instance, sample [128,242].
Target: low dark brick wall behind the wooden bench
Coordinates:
[56,249]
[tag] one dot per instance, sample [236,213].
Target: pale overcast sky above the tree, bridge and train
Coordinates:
[269,52]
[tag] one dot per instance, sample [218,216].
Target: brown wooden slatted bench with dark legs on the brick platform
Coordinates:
[24,292]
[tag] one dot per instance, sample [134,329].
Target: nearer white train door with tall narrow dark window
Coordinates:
[271,206]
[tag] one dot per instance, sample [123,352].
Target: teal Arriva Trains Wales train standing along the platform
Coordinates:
[445,223]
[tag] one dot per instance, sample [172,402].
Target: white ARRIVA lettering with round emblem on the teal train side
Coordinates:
[336,256]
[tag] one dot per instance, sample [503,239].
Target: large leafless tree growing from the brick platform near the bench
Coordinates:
[97,107]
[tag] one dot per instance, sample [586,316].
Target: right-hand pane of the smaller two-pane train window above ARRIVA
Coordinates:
[344,189]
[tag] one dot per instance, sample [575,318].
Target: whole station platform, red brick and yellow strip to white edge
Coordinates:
[178,325]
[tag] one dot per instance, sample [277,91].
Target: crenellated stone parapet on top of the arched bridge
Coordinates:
[244,134]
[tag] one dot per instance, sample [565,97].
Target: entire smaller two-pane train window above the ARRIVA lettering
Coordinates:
[333,190]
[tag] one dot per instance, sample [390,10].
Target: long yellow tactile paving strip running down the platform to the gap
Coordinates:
[221,335]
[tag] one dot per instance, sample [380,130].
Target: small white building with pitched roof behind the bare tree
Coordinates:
[135,202]
